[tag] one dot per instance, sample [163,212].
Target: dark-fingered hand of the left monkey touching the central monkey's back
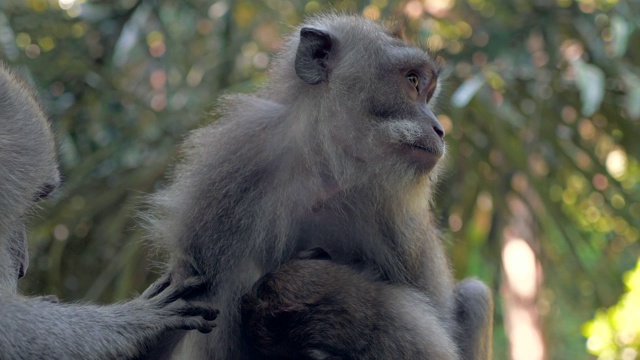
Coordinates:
[173,303]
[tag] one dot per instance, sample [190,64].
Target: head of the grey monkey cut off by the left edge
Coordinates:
[28,168]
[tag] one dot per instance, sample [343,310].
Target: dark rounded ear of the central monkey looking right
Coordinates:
[311,58]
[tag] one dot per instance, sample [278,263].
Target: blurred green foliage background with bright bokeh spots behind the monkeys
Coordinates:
[541,198]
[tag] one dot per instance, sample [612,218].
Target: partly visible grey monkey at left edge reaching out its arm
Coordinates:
[39,328]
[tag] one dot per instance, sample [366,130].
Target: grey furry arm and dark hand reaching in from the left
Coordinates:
[33,328]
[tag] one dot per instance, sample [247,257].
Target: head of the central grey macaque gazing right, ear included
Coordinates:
[382,113]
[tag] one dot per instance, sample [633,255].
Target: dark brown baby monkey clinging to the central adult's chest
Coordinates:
[313,308]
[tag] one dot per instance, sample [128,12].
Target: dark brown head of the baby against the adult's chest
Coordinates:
[299,310]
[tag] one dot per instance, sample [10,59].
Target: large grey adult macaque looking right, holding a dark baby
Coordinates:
[339,150]
